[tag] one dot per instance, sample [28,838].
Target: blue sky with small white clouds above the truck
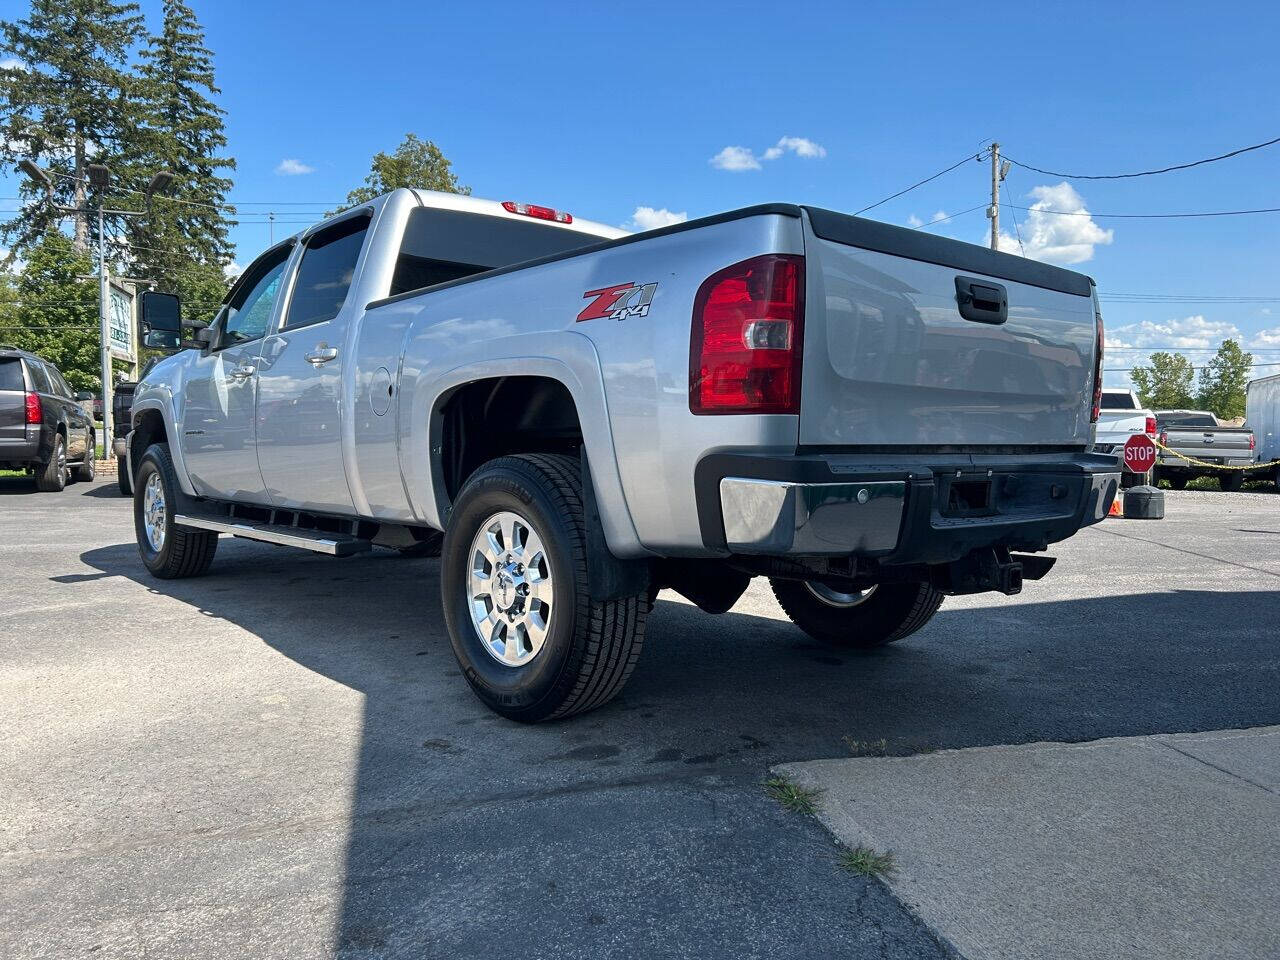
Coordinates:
[601,109]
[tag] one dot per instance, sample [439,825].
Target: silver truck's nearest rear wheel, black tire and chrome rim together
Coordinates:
[529,637]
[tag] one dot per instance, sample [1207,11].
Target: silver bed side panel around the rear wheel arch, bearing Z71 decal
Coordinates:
[629,378]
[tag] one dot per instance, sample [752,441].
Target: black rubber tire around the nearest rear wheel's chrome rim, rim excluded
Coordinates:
[591,647]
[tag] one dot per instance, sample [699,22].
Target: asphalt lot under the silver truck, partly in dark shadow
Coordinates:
[282,761]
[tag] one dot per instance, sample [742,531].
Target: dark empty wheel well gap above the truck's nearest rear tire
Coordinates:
[497,418]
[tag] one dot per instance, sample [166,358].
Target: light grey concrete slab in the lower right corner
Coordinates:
[1158,845]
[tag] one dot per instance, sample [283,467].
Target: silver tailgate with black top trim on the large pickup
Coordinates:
[890,362]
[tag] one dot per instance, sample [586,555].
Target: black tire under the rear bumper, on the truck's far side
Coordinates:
[892,612]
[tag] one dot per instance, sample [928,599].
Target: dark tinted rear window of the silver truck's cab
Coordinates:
[449,245]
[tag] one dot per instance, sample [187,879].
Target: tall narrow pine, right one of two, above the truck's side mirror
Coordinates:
[182,244]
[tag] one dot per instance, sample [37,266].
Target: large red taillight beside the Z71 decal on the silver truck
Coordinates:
[747,339]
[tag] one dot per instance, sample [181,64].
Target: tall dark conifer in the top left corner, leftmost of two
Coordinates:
[70,103]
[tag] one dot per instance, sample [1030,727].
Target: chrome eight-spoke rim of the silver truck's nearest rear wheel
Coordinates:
[511,589]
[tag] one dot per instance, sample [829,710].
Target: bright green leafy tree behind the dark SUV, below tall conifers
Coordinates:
[57,314]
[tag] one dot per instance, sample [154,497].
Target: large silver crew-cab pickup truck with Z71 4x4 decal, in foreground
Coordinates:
[574,419]
